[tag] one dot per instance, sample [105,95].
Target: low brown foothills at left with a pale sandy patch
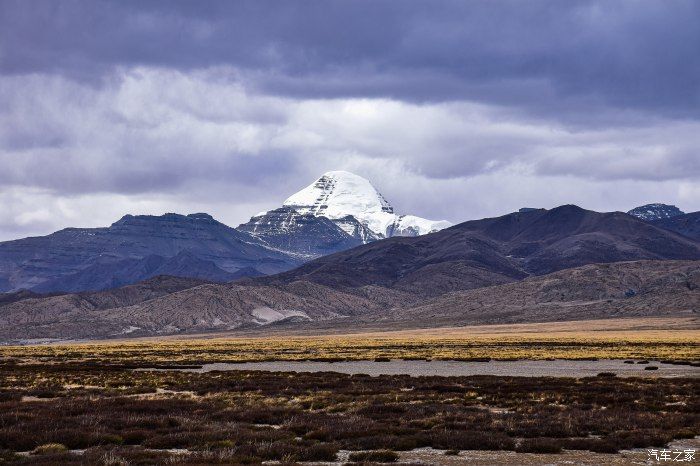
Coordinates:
[150,309]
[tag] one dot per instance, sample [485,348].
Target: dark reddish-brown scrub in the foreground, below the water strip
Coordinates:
[121,416]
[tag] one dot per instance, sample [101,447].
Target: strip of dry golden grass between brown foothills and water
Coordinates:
[593,339]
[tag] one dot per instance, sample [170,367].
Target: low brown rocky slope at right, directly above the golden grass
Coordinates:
[623,289]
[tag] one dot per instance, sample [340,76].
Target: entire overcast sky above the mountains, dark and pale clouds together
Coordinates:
[454,110]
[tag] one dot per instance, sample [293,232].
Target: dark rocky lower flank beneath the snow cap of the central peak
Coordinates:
[304,234]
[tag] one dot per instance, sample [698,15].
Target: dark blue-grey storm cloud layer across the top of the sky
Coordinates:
[562,59]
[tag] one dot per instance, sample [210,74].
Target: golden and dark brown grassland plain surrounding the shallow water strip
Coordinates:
[84,403]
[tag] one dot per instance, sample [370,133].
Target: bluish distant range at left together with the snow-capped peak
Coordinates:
[314,222]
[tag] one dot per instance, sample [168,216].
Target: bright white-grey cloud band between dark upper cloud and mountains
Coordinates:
[151,141]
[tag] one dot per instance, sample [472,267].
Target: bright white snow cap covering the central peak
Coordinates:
[339,194]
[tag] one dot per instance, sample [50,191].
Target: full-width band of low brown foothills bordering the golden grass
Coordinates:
[167,305]
